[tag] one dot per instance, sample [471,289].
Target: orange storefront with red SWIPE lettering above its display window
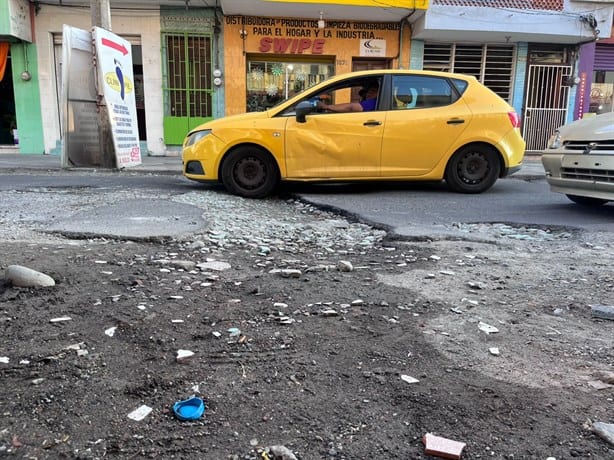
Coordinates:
[270,59]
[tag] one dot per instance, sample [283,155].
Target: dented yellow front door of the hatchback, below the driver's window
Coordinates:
[335,145]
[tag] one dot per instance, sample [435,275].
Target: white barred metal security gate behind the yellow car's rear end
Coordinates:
[546,103]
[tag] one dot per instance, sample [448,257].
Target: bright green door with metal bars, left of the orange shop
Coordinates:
[188,84]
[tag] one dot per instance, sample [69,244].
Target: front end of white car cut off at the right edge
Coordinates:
[579,160]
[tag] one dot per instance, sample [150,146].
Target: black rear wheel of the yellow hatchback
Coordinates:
[473,169]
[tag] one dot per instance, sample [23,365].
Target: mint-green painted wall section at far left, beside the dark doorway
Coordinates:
[27,99]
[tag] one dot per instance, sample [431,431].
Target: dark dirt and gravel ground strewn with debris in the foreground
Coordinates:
[317,365]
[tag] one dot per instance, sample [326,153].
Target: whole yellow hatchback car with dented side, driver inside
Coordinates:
[379,125]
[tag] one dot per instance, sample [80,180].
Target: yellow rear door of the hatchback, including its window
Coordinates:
[425,122]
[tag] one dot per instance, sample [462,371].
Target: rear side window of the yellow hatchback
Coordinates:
[420,91]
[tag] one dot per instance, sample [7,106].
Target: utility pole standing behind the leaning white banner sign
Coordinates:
[101,17]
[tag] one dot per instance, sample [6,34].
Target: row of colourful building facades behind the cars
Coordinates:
[551,59]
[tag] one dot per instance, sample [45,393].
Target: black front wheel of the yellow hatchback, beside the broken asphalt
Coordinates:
[250,172]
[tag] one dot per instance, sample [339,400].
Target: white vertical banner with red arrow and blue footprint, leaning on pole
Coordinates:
[114,62]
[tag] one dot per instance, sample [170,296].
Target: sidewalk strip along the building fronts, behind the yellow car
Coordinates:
[531,168]
